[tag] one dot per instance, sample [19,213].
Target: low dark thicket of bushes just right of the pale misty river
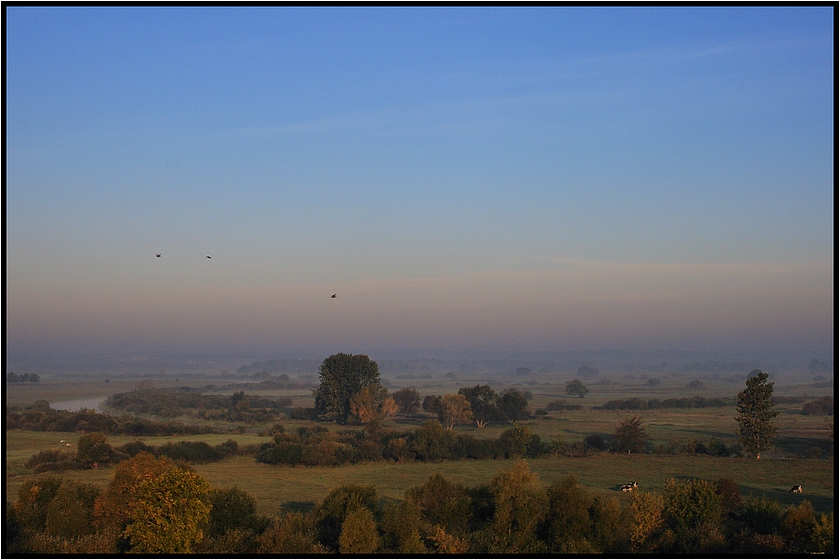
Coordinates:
[171,403]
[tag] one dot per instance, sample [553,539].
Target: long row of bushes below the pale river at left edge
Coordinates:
[41,418]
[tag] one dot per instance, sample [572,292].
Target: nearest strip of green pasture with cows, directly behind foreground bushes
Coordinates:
[300,487]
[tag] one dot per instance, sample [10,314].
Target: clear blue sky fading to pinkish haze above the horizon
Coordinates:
[551,178]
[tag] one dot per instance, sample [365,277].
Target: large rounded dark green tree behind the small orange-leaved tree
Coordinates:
[343,376]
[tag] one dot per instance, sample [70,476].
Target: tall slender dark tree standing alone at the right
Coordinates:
[754,404]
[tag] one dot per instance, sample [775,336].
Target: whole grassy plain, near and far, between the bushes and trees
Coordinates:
[275,487]
